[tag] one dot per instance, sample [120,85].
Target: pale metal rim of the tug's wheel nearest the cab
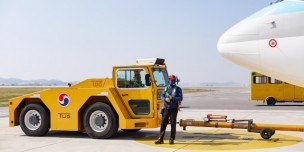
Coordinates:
[98,121]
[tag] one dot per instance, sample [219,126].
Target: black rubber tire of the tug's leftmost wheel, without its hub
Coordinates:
[44,120]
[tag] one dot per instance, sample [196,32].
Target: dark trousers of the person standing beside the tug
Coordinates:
[172,113]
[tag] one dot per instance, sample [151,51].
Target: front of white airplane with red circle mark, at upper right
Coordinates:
[270,41]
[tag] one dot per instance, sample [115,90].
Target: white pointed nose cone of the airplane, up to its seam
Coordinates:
[239,44]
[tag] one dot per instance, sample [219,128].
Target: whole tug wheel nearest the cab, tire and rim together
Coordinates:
[100,121]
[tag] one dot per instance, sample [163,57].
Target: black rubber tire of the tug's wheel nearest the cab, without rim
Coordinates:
[112,121]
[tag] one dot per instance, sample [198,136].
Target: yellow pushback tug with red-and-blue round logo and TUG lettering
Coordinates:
[130,100]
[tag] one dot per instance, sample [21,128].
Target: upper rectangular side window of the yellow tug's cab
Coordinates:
[130,78]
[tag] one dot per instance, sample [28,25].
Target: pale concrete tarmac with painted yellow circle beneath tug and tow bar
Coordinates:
[12,139]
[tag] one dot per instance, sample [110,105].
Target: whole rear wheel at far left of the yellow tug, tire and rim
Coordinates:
[34,120]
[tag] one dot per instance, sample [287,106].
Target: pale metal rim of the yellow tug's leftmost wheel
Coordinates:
[32,120]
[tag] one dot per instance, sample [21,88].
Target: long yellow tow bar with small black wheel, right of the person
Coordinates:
[220,121]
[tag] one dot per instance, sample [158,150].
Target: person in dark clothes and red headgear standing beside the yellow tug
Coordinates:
[172,97]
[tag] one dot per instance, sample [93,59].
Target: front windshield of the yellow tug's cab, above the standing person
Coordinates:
[160,76]
